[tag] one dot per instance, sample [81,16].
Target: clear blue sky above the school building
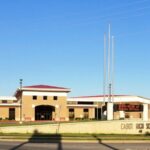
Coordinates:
[61,43]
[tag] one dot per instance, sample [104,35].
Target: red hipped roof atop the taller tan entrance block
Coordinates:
[44,87]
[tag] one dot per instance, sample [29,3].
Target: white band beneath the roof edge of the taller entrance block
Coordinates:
[30,93]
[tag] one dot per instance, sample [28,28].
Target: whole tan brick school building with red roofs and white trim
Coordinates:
[43,102]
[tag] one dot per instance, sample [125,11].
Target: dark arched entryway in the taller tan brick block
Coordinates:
[44,112]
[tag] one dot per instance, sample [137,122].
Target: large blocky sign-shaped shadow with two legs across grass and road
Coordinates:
[41,138]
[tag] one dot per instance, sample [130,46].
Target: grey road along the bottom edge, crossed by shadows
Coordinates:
[73,146]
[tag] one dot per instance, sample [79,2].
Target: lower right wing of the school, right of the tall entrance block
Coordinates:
[97,107]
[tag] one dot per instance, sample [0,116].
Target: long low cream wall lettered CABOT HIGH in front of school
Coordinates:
[94,127]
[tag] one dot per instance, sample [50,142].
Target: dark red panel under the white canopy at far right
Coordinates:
[128,107]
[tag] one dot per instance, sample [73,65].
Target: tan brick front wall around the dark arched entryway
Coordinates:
[28,106]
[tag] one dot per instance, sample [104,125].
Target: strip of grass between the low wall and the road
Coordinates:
[97,137]
